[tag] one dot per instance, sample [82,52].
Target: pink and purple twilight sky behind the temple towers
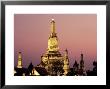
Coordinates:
[76,32]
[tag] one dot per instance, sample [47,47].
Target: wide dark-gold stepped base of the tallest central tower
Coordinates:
[53,62]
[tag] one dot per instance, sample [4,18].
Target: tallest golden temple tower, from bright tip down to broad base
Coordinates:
[52,60]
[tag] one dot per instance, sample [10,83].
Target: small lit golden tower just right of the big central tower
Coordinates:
[66,63]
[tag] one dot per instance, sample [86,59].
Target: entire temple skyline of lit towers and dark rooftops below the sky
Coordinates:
[53,63]
